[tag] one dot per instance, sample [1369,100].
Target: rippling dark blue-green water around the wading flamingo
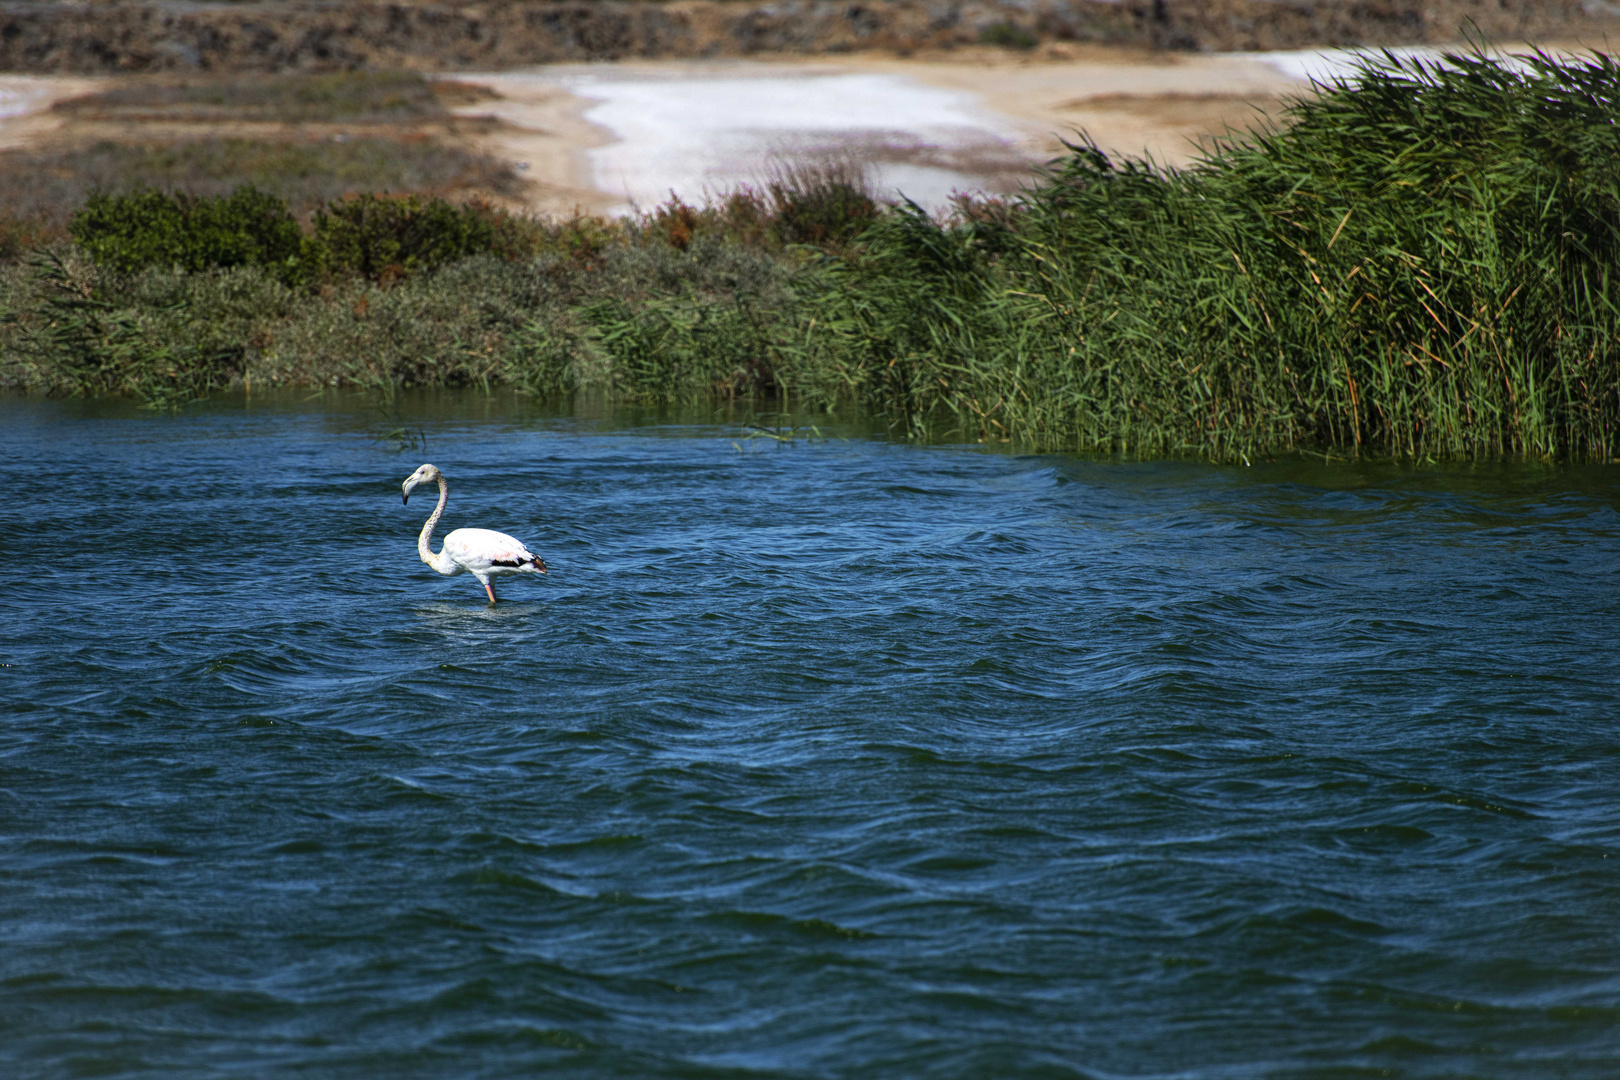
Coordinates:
[833,760]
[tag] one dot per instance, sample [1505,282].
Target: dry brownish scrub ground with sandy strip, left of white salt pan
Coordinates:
[305,138]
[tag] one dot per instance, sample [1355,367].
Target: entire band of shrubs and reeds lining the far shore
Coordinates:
[1420,261]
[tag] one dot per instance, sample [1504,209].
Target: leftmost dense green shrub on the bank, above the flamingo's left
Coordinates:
[147,227]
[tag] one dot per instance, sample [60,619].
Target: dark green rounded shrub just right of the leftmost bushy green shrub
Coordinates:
[382,239]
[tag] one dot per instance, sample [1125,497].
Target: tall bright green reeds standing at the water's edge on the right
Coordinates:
[1420,261]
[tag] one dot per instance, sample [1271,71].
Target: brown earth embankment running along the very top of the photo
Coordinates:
[48,36]
